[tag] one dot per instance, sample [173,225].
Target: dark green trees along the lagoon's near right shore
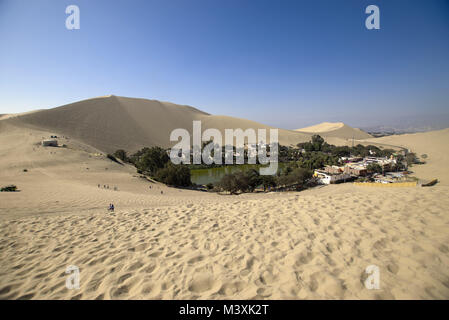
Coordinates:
[292,177]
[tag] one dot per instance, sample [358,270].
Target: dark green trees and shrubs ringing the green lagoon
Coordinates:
[296,173]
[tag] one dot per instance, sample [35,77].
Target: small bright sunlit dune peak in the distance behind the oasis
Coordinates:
[336,130]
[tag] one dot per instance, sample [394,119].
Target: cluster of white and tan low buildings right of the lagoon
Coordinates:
[355,167]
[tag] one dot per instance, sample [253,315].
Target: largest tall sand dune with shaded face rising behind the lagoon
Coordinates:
[110,123]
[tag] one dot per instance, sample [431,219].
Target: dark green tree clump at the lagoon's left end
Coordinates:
[155,162]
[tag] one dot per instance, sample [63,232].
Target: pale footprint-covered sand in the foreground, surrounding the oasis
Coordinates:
[183,244]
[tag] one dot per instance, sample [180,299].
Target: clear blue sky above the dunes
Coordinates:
[283,63]
